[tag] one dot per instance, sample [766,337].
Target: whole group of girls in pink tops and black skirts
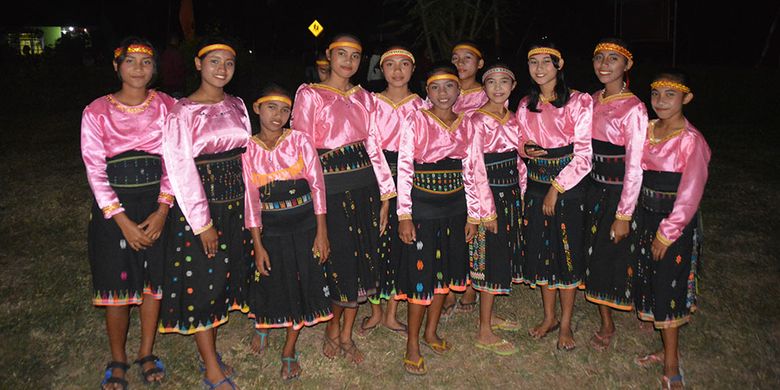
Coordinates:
[372,196]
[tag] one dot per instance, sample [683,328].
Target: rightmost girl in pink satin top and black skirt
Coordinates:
[675,168]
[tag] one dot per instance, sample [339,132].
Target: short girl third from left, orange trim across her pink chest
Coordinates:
[283,179]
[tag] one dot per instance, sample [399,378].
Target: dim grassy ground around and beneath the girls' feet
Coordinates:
[52,337]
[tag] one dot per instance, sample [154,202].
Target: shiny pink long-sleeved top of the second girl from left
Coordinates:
[193,129]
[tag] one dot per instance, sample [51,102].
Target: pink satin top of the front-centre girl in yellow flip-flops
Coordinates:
[426,139]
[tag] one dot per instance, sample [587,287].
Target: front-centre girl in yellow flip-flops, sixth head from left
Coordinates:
[437,157]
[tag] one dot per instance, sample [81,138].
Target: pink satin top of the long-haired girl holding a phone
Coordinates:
[557,127]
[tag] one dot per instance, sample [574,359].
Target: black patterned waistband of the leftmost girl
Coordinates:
[134,170]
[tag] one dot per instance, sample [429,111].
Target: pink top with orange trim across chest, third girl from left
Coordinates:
[293,157]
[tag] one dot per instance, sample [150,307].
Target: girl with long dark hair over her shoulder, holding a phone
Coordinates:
[555,125]
